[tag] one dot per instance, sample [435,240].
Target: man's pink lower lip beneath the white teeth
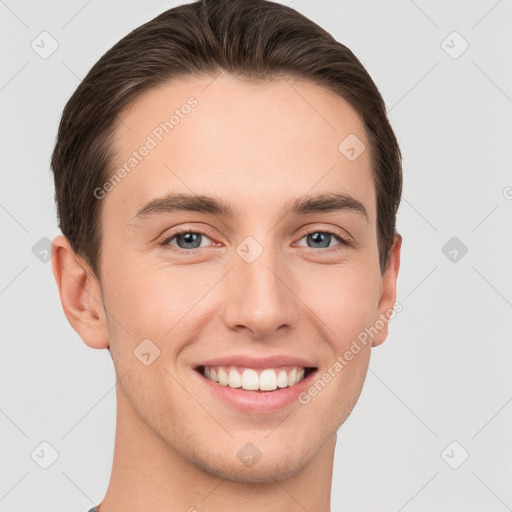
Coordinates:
[257,401]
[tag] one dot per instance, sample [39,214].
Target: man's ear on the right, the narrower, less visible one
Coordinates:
[388,294]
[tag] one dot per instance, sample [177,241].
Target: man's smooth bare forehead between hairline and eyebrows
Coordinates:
[219,136]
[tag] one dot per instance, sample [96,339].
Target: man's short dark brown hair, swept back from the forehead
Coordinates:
[254,40]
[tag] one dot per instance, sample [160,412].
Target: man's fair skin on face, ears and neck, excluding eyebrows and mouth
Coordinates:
[175,445]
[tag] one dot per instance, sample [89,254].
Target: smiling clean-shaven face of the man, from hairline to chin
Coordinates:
[267,263]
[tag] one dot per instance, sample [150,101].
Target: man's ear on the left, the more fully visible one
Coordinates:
[80,294]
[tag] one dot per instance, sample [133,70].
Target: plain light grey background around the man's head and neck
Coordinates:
[443,375]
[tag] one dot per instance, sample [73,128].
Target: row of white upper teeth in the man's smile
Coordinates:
[252,379]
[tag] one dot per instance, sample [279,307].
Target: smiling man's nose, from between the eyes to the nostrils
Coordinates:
[260,300]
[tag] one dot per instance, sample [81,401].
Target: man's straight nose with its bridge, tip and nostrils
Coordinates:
[258,298]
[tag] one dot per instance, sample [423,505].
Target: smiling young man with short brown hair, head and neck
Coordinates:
[227,186]
